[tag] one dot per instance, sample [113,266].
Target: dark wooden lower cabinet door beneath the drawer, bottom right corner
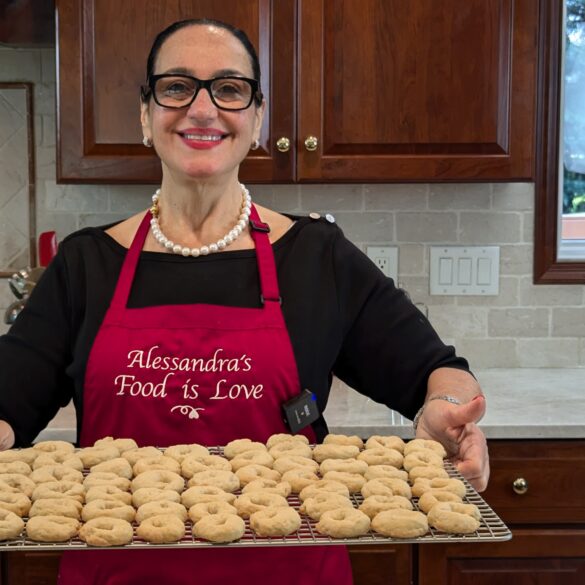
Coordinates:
[532,557]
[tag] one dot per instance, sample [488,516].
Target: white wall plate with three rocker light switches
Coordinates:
[465,270]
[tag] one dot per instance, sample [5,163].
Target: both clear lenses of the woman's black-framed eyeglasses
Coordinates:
[228,93]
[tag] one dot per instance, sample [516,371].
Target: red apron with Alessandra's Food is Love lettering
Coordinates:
[200,373]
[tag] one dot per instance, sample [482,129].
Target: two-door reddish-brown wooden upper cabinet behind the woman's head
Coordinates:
[390,90]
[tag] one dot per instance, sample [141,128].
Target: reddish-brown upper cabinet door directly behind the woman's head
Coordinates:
[102,51]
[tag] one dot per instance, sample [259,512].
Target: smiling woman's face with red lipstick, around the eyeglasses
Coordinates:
[182,137]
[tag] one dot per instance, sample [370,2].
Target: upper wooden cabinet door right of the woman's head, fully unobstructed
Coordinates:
[420,90]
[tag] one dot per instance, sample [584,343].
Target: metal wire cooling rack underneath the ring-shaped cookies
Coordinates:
[492,529]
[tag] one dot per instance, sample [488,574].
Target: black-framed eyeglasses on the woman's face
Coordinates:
[179,91]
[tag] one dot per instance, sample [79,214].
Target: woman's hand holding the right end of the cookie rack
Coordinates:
[454,426]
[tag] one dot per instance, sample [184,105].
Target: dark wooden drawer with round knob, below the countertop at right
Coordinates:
[554,472]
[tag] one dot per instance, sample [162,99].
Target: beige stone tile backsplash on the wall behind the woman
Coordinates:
[524,326]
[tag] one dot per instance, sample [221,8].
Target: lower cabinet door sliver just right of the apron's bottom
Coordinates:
[384,564]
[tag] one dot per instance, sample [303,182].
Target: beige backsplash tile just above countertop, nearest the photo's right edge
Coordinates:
[548,353]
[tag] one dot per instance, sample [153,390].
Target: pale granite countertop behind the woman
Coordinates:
[523,403]
